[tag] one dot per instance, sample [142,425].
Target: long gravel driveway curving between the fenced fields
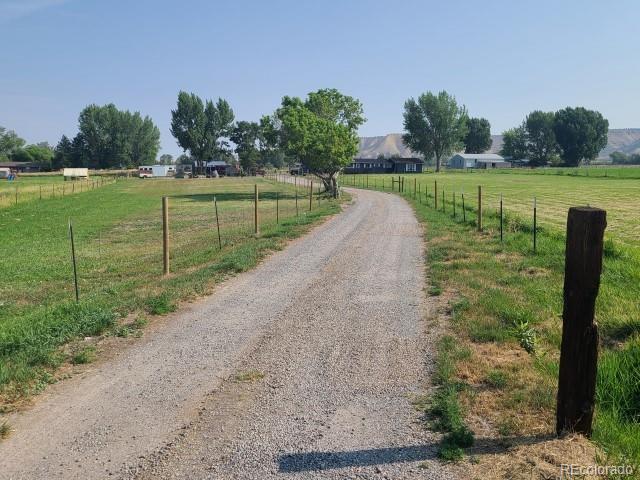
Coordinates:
[302,368]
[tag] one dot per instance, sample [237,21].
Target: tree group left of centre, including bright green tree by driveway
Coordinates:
[319,131]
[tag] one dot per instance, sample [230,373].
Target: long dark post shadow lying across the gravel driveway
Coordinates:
[313,461]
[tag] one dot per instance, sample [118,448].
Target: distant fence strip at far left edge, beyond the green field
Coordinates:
[16,193]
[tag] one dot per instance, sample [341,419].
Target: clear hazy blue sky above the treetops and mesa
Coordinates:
[502,59]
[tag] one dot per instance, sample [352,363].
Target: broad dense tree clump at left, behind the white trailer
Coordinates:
[109,138]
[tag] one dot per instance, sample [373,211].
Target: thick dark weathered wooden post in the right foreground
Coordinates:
[579,349]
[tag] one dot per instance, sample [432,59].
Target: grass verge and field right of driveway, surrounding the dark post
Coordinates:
[508,299]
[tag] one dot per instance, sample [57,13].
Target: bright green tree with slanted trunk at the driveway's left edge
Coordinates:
[321,132]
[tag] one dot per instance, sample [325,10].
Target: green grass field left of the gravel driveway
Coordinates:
[118,237]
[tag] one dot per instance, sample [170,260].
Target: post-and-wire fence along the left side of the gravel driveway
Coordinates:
[202,227]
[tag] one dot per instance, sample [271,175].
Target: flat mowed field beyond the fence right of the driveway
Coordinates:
[554,194]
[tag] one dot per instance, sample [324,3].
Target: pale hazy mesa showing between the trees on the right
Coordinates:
[625,140]
